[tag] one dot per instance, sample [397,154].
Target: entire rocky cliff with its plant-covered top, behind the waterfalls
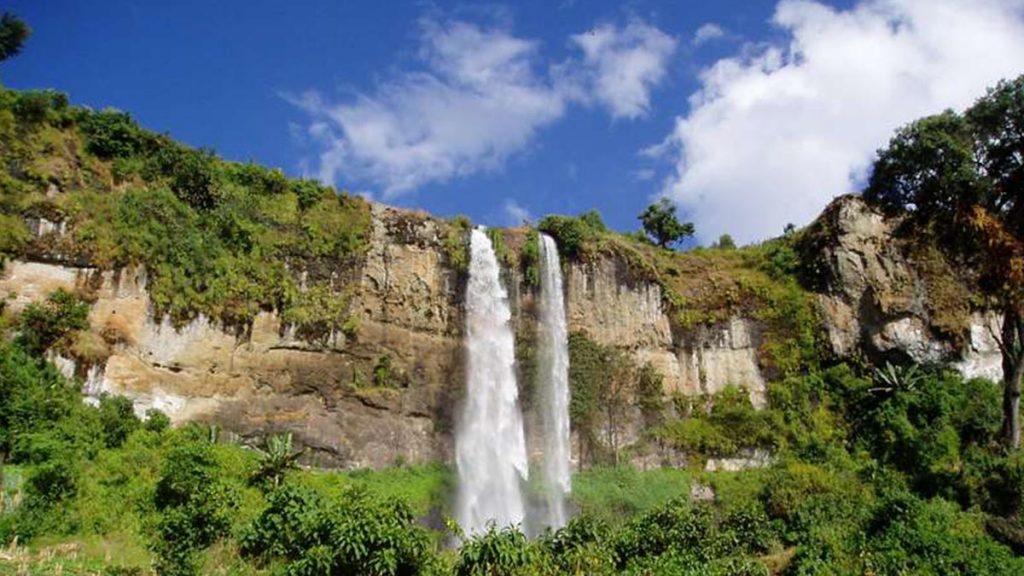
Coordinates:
[229,294]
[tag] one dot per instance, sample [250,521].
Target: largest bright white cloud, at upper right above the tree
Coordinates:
[779,131]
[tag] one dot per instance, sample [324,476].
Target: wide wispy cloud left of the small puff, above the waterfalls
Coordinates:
[478,102]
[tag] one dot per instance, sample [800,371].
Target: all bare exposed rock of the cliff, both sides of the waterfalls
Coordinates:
[875,297]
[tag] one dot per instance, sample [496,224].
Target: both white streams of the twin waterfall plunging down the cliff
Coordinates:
[491,447]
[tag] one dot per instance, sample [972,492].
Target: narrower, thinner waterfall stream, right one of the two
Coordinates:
[554,386]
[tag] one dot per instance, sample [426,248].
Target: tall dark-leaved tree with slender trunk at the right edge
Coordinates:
[961,180]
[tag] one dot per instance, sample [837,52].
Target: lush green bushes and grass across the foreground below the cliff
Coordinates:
[886,473]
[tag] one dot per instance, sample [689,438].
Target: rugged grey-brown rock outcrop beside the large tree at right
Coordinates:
[883,297]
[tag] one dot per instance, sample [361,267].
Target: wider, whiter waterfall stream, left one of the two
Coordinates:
[491,447]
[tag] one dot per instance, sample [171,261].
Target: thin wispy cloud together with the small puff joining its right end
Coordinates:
[482,96]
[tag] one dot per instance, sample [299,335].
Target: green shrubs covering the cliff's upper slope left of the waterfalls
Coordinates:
[217,238]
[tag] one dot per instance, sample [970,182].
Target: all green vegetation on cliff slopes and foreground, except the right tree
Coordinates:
[877,470]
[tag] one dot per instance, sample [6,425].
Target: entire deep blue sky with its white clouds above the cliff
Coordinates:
[540,107]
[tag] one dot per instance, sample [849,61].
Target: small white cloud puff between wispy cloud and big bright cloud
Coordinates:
[624,65]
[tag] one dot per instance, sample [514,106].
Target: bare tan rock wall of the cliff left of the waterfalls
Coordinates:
[268,381]
